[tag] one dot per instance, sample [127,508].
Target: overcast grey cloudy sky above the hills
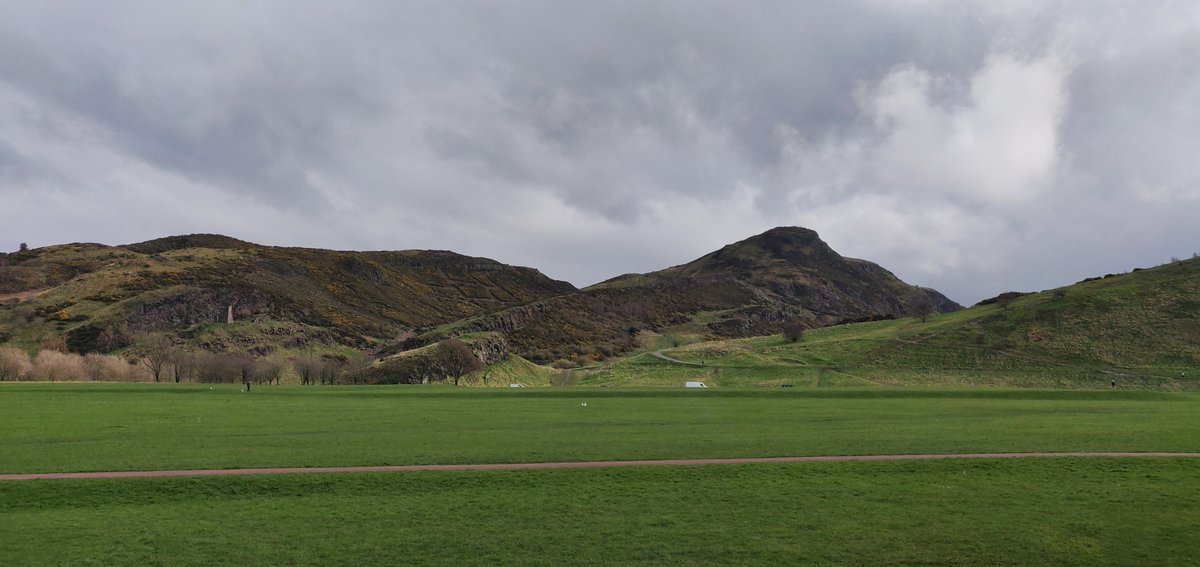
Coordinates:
[973,147]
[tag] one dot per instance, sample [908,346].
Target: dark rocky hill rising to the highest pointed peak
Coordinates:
[747,289]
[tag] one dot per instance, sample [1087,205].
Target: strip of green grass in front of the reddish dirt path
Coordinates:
[1085,512]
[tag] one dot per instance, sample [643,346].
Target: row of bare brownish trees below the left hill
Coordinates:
[171,365]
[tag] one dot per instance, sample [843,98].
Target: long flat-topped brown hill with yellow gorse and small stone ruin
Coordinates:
[93,297]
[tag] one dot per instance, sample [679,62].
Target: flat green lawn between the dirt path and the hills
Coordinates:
[50,428]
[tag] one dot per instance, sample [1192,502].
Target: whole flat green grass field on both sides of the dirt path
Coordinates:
[1090,511]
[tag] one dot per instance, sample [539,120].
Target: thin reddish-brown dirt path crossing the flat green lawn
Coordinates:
[521,467]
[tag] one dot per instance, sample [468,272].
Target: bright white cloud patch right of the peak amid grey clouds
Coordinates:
[999,144]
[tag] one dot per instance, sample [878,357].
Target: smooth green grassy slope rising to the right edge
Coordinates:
[1142,330]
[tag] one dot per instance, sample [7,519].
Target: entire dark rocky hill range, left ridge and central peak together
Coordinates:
[224,295]
